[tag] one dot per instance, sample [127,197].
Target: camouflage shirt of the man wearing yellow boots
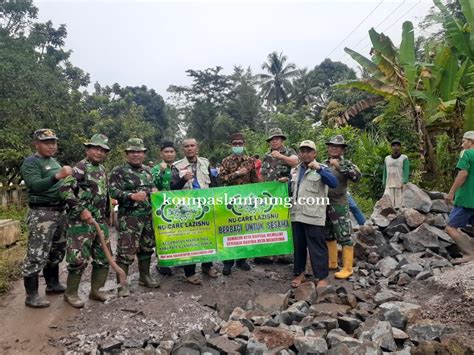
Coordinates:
[347,171]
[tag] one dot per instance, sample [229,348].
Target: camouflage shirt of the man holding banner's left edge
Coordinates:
[124,180]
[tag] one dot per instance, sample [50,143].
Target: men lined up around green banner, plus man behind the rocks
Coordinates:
[65,202]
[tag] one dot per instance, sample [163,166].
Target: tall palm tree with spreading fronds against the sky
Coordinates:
[276,86]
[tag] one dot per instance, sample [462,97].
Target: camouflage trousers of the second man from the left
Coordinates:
[84,243]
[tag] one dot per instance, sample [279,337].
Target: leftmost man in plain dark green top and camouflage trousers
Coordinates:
[46,218]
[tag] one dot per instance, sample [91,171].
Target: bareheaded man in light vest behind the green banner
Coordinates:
[193,172]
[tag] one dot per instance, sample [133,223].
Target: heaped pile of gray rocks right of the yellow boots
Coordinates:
[406,244]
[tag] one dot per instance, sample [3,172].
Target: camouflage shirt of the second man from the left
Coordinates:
[86,189]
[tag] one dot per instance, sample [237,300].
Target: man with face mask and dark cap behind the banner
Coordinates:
[237,169]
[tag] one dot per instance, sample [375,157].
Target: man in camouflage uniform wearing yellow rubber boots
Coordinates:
[338,222]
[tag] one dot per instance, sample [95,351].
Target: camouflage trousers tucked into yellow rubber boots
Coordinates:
[338,224]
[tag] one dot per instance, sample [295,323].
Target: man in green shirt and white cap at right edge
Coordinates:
[462,192]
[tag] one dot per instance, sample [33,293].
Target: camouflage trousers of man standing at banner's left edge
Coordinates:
[136,237]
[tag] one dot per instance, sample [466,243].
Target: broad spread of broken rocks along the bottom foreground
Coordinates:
[324,320]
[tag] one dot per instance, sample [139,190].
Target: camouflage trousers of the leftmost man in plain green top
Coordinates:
[46,242]
